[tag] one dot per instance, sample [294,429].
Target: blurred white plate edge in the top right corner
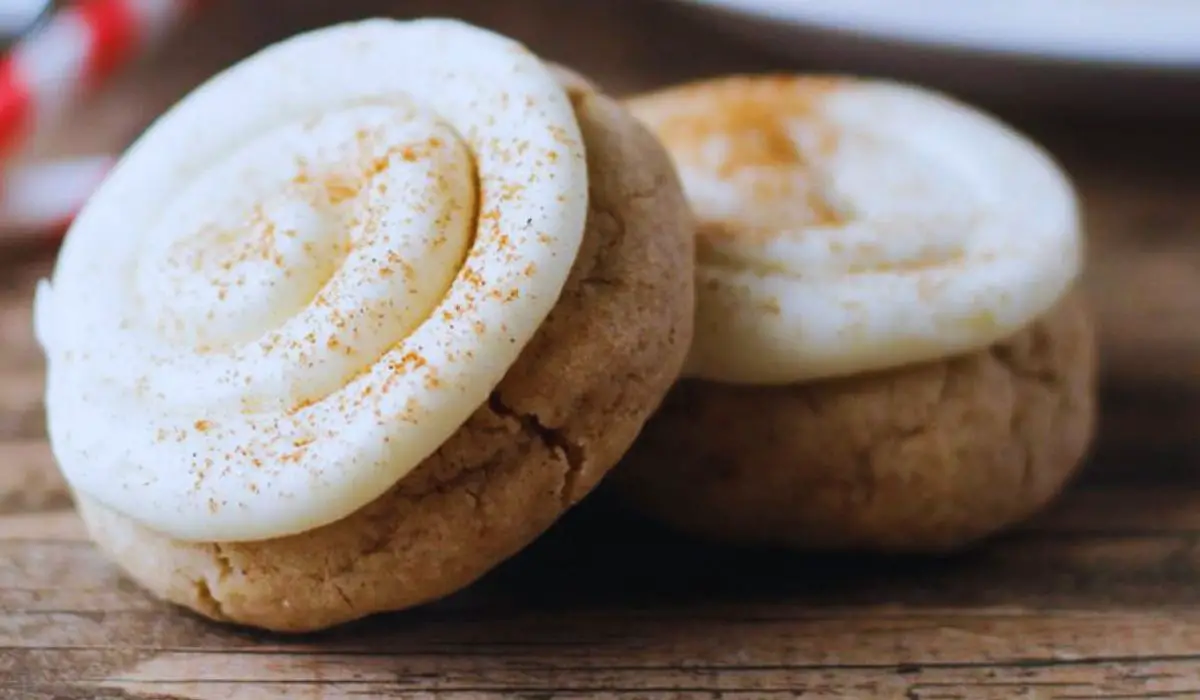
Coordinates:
[1148,34]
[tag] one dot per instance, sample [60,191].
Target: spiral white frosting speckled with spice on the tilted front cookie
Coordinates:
[305,277]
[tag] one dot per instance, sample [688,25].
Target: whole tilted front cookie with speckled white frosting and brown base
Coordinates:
[359,319]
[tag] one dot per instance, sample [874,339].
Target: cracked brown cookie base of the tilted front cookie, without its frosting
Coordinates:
[563,416]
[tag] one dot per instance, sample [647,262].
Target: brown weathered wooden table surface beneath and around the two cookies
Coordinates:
[1100,599]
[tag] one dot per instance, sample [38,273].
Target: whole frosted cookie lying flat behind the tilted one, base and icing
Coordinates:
[891,349]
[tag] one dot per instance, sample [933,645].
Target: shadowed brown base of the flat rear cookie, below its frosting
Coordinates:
[926,459]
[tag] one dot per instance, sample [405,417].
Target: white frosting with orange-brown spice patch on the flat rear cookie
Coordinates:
[849,226]
